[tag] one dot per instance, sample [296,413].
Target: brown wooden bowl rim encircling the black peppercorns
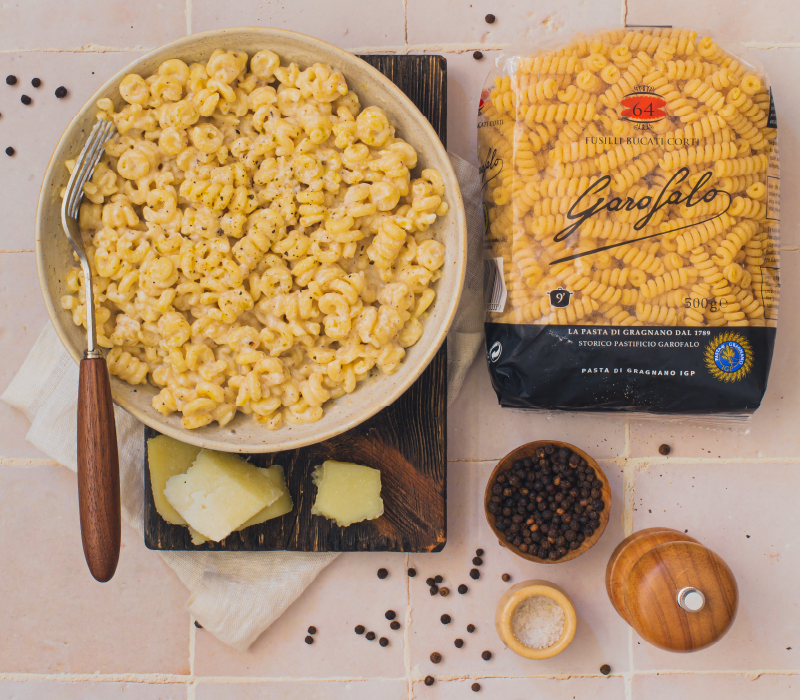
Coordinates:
[529,450]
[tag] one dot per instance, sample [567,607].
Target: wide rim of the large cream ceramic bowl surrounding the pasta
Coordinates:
[54,255]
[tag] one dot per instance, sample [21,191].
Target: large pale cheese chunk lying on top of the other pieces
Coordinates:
[220,492]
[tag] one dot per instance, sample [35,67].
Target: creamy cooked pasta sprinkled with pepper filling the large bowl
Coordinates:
[257,241]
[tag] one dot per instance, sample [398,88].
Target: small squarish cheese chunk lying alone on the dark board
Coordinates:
[347,493]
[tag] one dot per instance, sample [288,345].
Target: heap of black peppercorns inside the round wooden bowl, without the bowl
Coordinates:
[547,505]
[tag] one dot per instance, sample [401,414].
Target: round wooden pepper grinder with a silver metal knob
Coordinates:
[677,594]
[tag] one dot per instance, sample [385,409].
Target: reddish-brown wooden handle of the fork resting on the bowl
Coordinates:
[98,470]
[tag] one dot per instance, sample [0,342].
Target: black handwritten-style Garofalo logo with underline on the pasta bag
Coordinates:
[580,213]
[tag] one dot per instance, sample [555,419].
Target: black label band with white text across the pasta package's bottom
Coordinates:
[667,369]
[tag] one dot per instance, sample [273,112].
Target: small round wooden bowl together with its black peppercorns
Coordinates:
[547,501]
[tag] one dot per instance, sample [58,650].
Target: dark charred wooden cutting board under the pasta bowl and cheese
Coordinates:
[407,441]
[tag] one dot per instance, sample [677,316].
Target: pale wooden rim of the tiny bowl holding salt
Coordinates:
[516,595]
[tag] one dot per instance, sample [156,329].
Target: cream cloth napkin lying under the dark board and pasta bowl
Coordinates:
[234,595]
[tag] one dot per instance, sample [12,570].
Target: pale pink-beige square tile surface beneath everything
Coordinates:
[63,636]
